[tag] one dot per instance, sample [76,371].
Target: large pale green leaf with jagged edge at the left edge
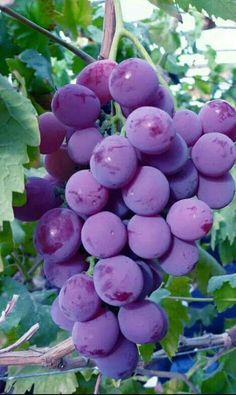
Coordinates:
[18,129]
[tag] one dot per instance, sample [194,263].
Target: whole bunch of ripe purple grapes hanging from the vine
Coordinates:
[136,204]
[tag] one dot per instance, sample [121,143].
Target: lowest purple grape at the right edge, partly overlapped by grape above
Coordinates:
[217,192]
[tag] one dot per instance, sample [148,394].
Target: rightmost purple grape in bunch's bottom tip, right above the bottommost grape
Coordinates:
[143,322]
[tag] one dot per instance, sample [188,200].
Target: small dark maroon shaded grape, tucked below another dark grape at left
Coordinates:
[59,164]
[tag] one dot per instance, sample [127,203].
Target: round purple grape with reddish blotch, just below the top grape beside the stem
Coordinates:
[150,130]
